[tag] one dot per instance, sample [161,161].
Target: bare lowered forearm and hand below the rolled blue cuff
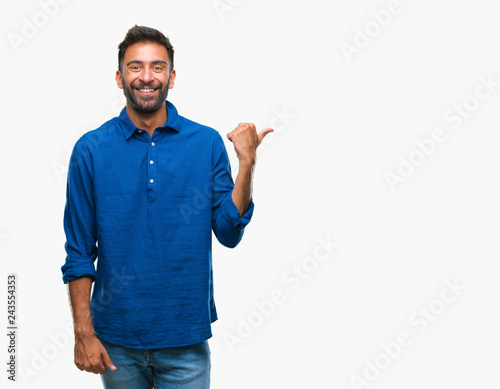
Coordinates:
[90,354]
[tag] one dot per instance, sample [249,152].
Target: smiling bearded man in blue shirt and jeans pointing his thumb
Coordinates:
[145,191]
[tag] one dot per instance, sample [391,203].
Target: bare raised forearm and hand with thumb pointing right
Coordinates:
[245,140]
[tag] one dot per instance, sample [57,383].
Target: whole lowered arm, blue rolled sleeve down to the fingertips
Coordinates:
[78,270]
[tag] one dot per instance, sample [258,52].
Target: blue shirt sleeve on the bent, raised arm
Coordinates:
[228,227]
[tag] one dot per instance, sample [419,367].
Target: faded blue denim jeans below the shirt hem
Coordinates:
[185,367]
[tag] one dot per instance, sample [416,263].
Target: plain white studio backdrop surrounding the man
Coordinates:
[372,256]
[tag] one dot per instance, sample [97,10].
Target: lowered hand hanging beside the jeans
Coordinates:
[91,356]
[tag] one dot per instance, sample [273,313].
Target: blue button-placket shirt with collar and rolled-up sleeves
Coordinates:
[138,219]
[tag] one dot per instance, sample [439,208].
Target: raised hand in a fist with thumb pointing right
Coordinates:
[246,140]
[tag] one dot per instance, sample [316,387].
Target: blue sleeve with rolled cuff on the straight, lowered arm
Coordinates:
[79,216]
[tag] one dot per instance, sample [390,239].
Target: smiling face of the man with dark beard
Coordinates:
[145,77]
